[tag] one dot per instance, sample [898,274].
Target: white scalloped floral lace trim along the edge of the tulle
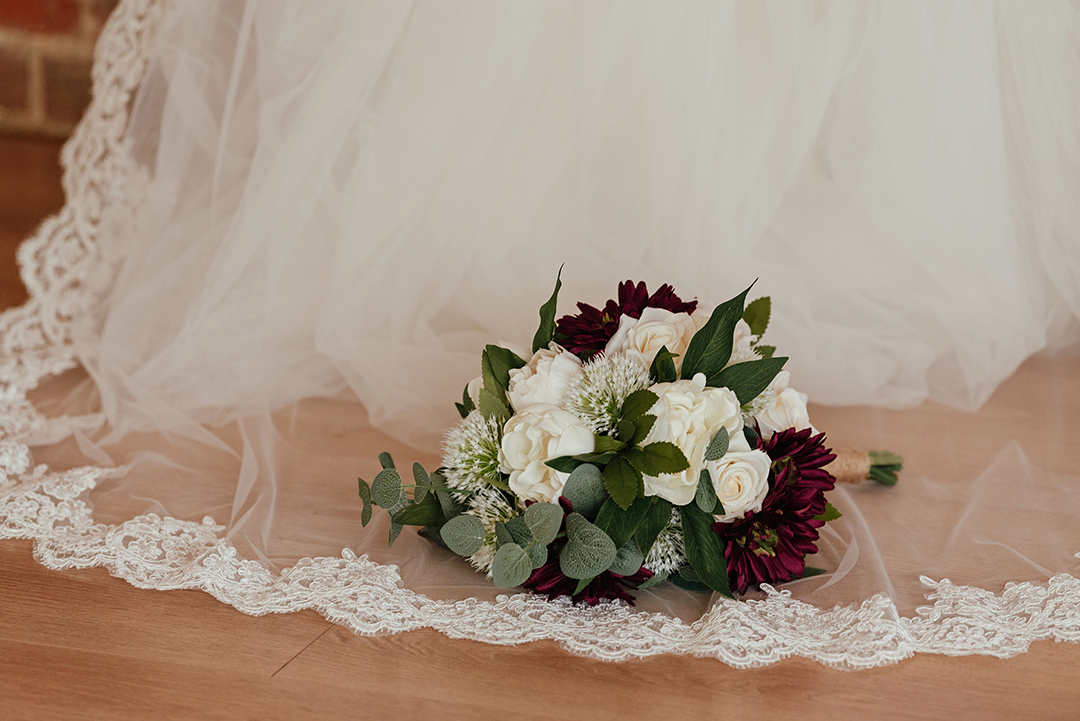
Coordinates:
[63,271]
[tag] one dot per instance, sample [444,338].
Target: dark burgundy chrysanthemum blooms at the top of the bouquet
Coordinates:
[589,332]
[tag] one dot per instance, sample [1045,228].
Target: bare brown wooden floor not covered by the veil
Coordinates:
[82,645]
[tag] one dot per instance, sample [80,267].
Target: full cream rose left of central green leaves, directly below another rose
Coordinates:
[537,436]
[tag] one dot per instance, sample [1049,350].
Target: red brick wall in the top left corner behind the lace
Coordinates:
[46,52]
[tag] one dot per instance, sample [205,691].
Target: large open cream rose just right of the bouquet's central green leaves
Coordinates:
[690,415]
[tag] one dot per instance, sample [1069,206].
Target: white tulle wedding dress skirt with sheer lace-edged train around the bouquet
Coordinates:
[292,224]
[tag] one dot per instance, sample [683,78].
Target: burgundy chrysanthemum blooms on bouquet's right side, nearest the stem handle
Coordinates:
[772,546]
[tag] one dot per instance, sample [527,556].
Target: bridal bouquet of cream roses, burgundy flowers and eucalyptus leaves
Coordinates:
[650,441]
